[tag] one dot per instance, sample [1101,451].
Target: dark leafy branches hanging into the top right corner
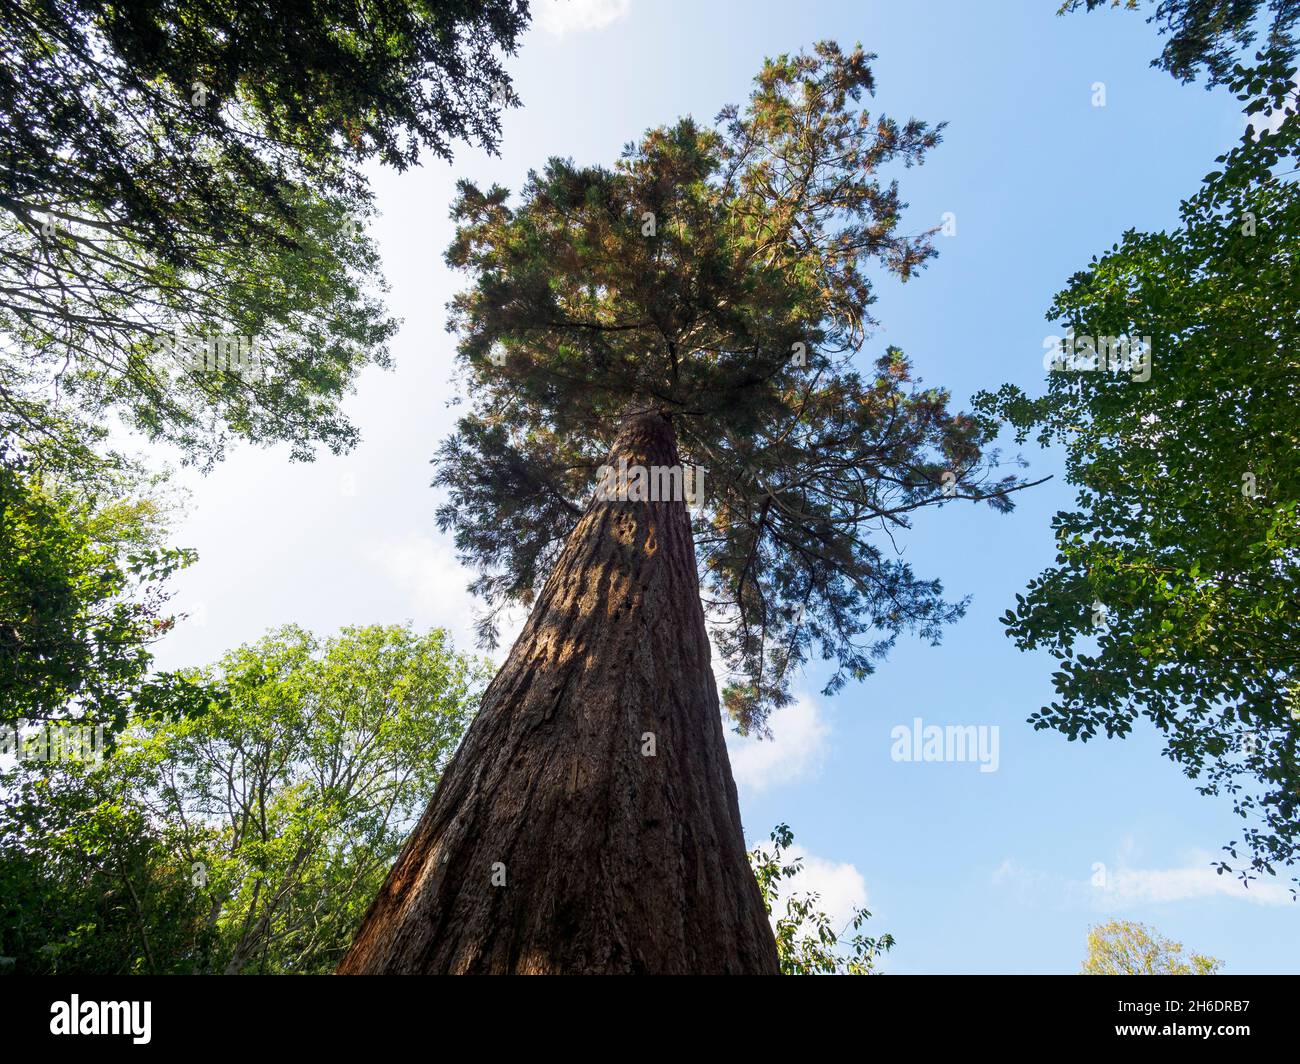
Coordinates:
[1212,34]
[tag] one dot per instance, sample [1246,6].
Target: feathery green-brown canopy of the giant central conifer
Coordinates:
[718,276]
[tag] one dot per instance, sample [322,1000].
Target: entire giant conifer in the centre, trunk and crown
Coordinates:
[700,304]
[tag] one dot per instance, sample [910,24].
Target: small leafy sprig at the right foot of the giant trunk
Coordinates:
[807,940]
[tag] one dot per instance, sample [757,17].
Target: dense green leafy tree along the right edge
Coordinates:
[1175,595]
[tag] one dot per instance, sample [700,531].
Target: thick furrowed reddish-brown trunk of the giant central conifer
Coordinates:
[556,841]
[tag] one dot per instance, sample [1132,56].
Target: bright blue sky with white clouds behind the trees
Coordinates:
[970,871]
